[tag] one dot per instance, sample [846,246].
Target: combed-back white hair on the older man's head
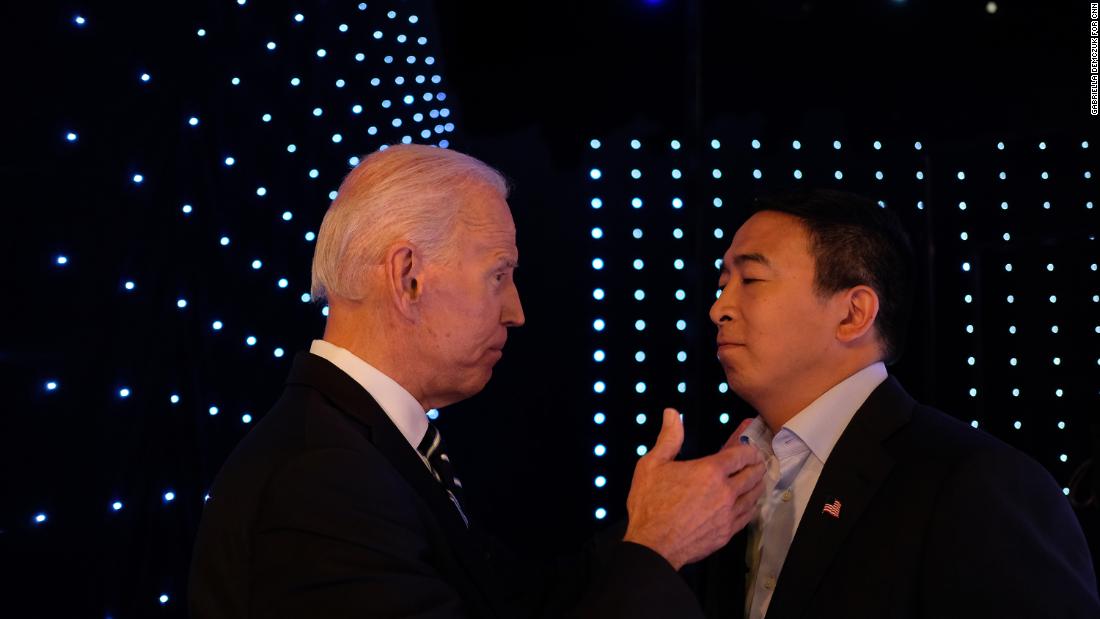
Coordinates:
[406,192]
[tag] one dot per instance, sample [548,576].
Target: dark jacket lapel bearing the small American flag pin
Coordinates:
[854,472]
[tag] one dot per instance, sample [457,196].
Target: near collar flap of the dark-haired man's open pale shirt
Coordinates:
[821,424]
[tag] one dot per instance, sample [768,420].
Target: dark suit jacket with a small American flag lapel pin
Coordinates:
[937,521]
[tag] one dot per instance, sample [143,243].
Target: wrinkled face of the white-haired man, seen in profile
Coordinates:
[470,301]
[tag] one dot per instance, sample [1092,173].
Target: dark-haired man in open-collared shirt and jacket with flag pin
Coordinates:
[875,506]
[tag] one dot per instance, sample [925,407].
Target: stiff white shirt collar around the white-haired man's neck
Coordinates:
[399,405]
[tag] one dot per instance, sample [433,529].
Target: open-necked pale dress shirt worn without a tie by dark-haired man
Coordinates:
[796,457]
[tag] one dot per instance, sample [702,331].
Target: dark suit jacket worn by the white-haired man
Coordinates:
[326,511]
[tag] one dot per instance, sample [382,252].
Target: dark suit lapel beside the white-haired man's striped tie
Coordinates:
[351,399]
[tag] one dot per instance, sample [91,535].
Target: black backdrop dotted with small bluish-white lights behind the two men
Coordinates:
[529,86]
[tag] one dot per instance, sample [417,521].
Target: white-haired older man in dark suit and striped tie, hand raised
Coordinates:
[343,502]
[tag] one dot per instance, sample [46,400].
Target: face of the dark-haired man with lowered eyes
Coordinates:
[774,329]
